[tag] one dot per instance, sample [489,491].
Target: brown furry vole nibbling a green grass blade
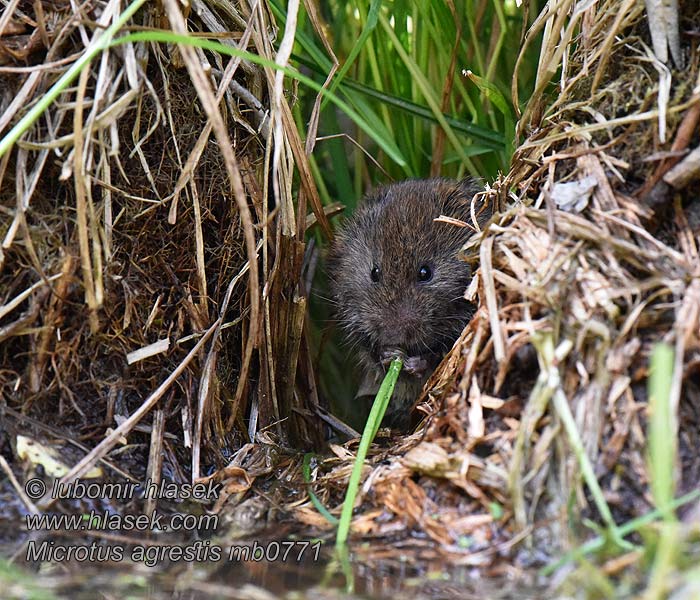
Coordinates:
[398,284]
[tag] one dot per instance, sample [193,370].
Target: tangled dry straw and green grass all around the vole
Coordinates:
[169,178]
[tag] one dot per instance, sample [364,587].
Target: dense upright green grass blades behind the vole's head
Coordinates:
[403,66]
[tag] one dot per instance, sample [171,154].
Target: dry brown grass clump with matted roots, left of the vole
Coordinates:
[134,206]
